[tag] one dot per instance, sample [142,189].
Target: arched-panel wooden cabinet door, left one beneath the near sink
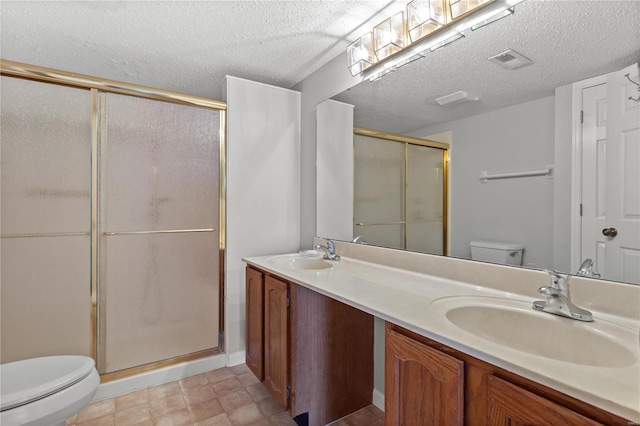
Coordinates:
[422,385]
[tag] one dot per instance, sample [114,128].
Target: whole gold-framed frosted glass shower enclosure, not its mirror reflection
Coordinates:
[111,222]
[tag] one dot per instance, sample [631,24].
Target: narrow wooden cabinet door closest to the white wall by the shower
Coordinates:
[254,326]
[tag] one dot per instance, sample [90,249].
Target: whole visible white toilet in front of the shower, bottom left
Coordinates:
[47,390]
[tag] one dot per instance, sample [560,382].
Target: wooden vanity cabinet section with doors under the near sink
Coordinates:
[457,389]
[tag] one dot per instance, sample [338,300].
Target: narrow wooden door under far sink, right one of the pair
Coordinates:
[276,331]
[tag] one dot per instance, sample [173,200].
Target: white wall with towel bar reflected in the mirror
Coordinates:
[520,210]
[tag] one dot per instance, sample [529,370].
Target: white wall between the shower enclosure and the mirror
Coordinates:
[263,187]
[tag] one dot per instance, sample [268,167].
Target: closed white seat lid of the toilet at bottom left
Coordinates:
[24,381]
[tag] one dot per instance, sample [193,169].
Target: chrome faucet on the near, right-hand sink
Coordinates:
[559,299]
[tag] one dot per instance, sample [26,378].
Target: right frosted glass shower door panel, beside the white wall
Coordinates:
[159,250]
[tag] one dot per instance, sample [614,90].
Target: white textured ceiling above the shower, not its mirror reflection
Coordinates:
[184,46]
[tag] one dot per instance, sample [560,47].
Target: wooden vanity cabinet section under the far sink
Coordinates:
[316,352]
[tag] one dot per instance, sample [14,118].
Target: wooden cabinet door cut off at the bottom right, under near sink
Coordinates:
[511,405]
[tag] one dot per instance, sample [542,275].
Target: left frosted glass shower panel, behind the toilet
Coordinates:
[46,220]
